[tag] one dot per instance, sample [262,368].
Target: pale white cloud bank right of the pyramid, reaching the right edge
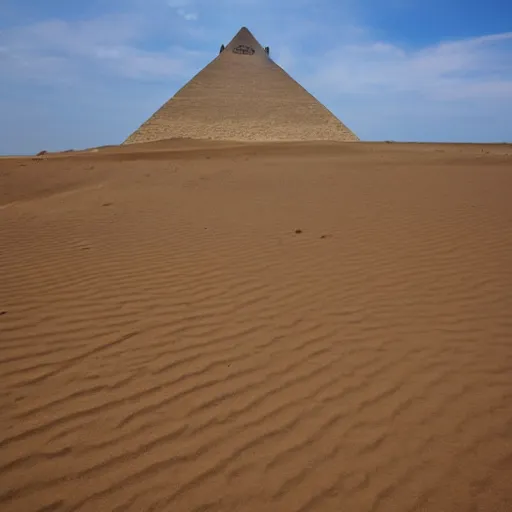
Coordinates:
[472,68]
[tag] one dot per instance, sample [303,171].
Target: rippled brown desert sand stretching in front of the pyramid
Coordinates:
[170,342]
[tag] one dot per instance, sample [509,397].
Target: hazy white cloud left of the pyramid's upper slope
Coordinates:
[63,51]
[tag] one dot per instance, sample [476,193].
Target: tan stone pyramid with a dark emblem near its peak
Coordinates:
[243,95]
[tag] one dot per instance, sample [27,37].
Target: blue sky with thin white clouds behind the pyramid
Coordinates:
[84,73]
